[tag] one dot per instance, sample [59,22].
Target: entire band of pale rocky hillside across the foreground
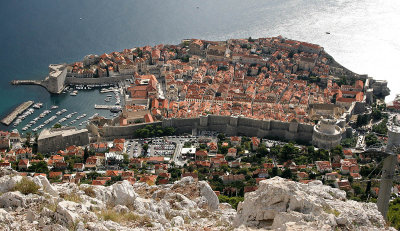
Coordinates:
[278,204]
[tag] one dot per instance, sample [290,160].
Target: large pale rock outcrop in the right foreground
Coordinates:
[280,204]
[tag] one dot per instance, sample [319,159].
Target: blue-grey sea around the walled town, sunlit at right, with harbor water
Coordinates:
[363,36]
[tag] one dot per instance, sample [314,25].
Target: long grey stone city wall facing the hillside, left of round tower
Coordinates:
[232,126]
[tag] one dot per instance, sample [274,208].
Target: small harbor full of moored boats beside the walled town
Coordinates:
[66,109]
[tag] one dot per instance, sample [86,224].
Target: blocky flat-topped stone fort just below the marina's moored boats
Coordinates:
[52,140]
